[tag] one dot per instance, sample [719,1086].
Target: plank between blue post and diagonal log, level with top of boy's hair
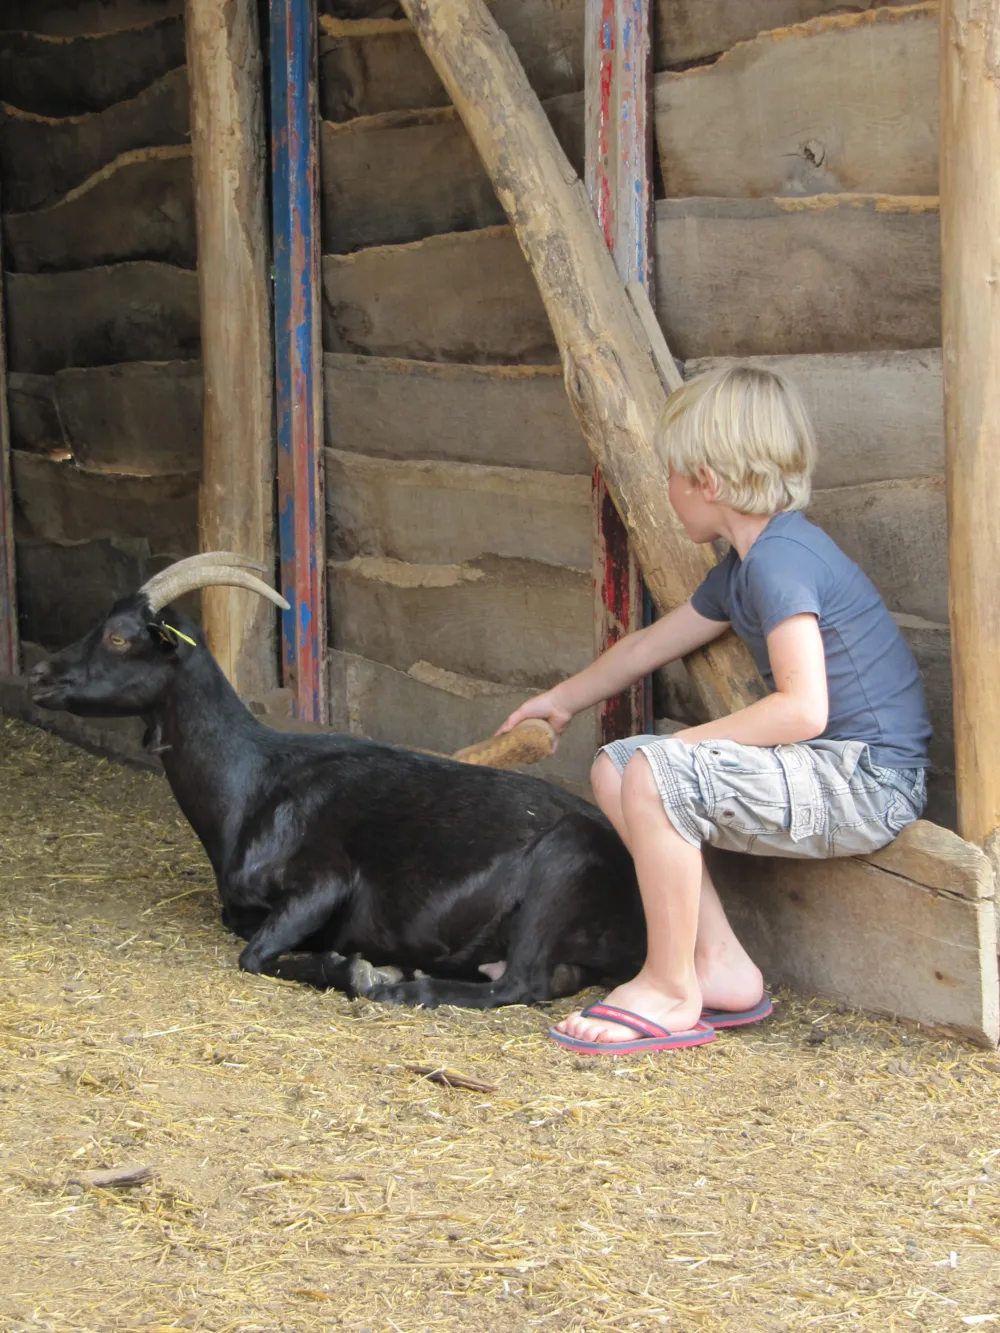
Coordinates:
[514,417]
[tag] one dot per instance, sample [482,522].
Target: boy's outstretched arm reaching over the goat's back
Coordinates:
[677,635]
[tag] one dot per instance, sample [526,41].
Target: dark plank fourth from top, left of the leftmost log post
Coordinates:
[141,207]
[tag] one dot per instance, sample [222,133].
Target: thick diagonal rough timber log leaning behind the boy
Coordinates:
[610,373]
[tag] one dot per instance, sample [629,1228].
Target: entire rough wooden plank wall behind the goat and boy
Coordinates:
[797,221]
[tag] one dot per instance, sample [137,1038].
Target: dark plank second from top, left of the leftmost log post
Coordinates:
[70,77]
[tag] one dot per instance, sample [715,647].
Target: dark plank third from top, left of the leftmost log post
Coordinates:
[43,159]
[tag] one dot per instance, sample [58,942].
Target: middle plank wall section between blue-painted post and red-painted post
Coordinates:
[458,483]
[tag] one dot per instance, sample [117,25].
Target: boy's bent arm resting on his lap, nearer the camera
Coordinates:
[799,708]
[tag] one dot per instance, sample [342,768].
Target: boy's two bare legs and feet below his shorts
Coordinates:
[694,956]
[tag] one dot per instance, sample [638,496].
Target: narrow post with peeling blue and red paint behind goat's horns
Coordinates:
[299,353]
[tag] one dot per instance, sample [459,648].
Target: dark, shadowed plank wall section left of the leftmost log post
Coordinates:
[105,385]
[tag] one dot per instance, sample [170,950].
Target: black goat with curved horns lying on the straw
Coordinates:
[333,847]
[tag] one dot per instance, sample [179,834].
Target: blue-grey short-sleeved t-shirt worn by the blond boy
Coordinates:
[874,683]
